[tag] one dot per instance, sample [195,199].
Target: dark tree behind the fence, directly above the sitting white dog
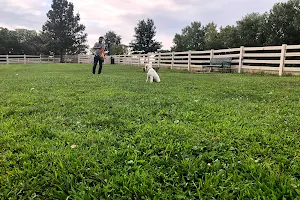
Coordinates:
[144,37]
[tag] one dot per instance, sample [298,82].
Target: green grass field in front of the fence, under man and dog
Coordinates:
[66,133]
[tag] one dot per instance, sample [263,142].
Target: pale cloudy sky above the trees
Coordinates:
[121,16]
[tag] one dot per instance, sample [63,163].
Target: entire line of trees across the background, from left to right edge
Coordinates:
[63,34]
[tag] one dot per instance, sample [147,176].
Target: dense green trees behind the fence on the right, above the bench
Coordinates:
[281,25]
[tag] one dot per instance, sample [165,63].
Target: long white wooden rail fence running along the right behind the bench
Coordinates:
[276,59]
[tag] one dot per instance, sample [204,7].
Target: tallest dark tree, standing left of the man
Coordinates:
[66,33]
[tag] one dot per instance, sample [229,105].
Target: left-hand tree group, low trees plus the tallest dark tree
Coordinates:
[61,34]
